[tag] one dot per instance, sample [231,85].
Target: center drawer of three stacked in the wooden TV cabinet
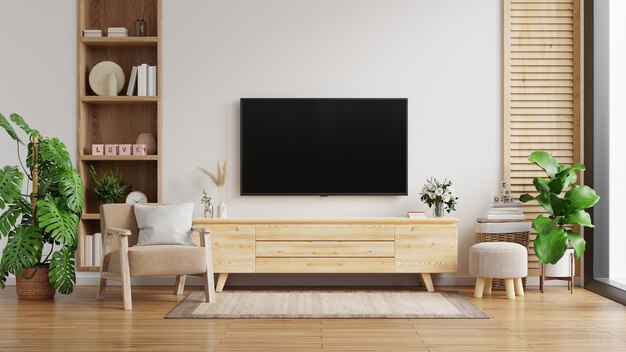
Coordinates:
[324,249]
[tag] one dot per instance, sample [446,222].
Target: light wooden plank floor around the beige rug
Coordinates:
[553,321]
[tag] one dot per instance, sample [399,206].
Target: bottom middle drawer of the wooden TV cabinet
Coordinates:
[324,265]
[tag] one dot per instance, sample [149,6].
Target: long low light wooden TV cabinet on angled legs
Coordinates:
[333,245]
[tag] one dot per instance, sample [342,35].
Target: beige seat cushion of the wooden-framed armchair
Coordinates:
[165,260]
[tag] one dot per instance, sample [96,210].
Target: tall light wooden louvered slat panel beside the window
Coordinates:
[541,92]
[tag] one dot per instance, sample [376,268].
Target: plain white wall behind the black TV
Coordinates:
[444,56]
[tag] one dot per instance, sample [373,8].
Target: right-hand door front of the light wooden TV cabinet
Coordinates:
[426,249]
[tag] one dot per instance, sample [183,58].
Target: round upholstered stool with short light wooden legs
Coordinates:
[499,260]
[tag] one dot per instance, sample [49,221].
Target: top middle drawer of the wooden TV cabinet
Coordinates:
[324,232]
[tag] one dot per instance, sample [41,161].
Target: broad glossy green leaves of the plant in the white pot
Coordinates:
[554,233]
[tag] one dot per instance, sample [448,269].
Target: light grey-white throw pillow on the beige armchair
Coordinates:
[164,224]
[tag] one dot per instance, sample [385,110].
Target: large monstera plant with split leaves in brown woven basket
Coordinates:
[41,202]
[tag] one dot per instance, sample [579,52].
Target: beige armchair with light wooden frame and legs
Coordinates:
[122,260]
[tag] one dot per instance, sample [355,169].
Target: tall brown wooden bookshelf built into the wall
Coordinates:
[117,119]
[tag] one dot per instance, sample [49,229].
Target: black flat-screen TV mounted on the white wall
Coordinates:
[323,146]
